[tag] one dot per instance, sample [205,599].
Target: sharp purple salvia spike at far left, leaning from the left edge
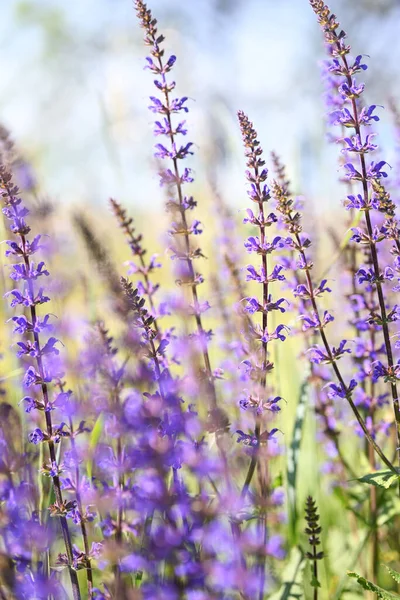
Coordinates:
[38,376]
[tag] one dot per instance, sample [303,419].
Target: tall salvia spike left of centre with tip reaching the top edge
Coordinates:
[182,230]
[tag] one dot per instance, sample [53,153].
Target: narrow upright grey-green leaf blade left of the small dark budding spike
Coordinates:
[293,456]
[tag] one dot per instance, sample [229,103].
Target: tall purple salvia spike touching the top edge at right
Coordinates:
[368,175]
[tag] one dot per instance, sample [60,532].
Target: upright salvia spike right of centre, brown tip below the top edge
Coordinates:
[260,398]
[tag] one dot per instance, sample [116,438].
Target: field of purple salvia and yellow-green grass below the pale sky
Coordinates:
[203,402]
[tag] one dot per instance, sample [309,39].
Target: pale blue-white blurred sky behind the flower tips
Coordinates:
[74,93]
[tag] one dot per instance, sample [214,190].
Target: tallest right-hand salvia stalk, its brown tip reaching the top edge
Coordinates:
[373,195]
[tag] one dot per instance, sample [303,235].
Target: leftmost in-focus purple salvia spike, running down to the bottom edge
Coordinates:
[41,373]
